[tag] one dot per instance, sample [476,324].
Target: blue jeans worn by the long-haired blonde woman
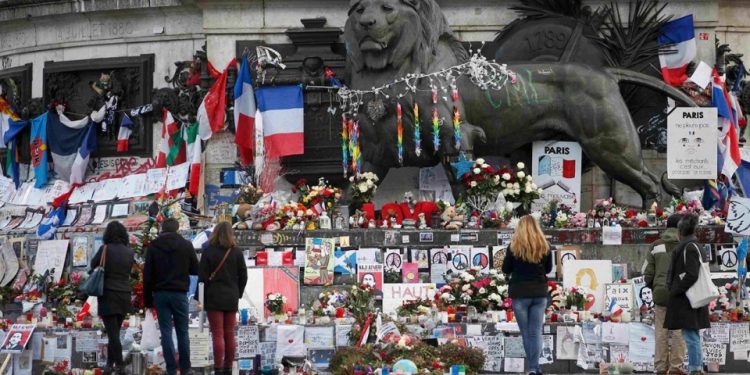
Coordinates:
[529,314]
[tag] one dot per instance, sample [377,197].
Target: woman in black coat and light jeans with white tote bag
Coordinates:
[682,274]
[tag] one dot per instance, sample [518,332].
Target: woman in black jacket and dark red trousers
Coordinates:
[224,275]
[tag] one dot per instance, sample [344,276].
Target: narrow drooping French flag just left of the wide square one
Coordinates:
[244,114]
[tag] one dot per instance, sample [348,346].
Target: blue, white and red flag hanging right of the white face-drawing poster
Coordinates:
[729,140]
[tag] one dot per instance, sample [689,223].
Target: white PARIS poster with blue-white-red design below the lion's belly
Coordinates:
[556,168]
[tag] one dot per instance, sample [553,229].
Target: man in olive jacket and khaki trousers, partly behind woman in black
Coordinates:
[657,265]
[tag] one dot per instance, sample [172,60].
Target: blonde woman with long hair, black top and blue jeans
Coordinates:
[528,262]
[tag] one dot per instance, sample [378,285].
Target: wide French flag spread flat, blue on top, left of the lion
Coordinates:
[283,120]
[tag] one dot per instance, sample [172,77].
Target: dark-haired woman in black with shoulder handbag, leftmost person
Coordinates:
[116,259]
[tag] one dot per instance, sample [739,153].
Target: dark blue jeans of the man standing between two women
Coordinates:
[172,307]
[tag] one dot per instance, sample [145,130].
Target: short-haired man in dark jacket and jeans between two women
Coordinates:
[170,261]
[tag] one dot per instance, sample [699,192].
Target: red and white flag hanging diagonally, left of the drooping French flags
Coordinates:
[212,111]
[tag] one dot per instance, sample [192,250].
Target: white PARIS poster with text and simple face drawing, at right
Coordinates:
[692,136]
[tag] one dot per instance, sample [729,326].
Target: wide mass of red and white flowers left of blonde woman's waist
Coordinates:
[485,292]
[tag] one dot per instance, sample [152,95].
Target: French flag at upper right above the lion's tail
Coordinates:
[678,41]
